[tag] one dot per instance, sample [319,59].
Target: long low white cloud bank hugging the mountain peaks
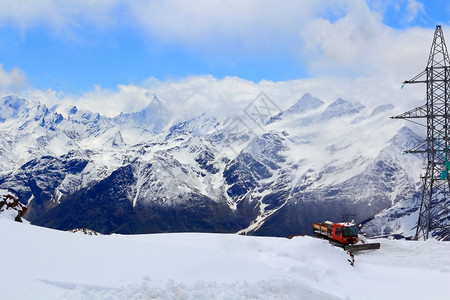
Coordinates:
[224,97]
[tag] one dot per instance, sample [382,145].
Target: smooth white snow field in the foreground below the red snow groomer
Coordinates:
[41,263]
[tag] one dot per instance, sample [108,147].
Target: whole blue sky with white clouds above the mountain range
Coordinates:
[122,49]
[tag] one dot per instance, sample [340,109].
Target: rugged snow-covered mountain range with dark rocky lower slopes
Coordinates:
[150,171]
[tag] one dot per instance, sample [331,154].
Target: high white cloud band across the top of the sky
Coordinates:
[356,44]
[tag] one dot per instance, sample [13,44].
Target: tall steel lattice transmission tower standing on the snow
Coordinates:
[434,214]
